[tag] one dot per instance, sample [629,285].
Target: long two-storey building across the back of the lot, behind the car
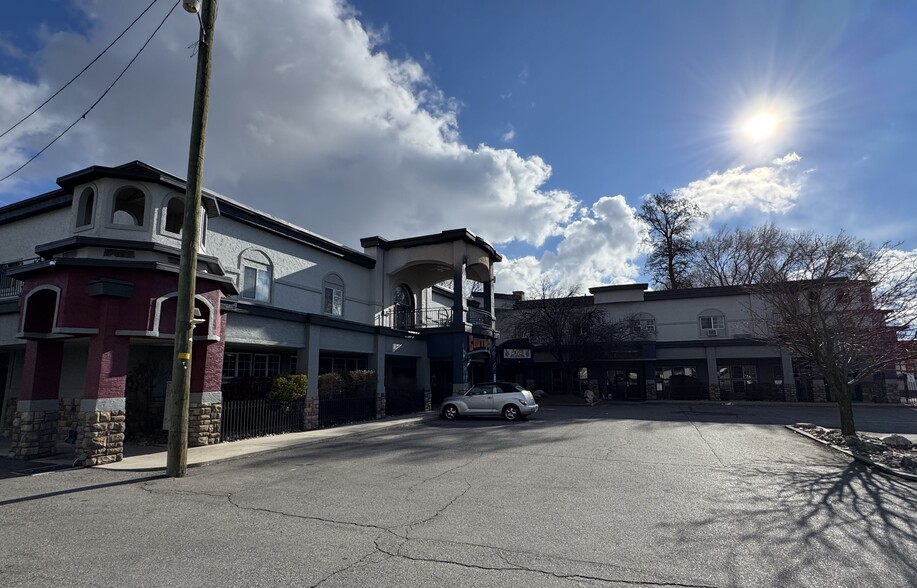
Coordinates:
[690,344]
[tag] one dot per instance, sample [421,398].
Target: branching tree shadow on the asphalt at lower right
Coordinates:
[817,526]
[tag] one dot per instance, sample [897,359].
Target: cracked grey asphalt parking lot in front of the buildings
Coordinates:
[612,495]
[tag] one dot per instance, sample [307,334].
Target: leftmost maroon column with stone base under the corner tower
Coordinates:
[34,429]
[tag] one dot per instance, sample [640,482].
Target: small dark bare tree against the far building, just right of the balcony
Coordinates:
[567,324]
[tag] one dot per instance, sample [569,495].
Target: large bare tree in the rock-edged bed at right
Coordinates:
[844,307]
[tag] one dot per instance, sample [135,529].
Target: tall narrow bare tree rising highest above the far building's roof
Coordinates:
[671,221]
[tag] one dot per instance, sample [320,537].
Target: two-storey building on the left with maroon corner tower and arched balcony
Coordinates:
[88,280]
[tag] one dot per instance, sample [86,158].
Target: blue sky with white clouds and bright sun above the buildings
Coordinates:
[538,125]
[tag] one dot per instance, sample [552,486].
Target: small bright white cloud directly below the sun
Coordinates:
[773,188]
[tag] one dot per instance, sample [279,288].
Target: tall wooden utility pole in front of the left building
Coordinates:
[177,457]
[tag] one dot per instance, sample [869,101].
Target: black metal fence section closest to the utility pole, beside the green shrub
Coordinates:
[242,419]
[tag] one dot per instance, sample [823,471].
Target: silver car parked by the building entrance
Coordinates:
[493,398]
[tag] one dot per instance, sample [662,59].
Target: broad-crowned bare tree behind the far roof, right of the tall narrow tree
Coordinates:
[743,256]
